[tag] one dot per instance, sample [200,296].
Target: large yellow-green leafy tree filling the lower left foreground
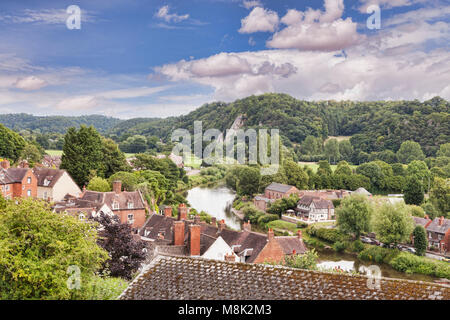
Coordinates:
[37,247]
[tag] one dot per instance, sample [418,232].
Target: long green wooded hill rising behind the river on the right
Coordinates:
[374,126]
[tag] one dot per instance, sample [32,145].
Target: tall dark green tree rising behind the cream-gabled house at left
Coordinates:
[82,153]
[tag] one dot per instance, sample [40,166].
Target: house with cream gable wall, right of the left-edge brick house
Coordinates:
[54,184]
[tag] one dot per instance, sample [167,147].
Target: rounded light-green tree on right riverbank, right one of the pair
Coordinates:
[393,223]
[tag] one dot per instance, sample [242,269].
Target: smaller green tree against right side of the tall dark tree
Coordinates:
[113,159]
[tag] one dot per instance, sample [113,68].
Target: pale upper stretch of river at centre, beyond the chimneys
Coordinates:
[216,201]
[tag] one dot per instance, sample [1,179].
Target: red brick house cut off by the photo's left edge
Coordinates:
[17,182]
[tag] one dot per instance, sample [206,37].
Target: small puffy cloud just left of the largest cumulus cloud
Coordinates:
[259,20]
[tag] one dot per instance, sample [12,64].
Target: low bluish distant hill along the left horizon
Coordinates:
[56,124]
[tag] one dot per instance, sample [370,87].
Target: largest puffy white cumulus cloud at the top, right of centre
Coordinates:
[316,30]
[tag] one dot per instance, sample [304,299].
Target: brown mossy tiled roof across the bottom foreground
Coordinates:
[188,278]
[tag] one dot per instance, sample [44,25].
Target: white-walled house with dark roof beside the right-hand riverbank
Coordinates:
[315,208]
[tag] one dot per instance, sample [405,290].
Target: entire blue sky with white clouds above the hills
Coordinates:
[162,58]
